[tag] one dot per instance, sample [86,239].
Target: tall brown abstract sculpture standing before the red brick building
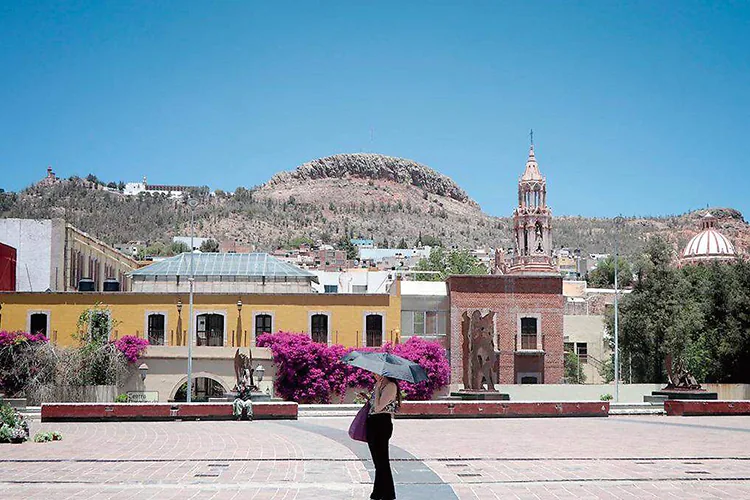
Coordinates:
[479,350]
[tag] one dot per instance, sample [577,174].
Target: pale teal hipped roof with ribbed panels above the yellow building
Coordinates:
[255,265]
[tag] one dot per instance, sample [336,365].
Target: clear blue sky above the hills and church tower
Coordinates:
[640,108]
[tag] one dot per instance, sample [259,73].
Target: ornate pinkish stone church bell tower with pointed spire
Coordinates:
[532,220]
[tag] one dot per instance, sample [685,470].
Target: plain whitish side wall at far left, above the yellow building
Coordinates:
[32,240]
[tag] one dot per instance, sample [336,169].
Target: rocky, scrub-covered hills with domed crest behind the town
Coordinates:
[366,195]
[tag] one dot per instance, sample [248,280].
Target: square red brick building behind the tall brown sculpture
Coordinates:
[525,317]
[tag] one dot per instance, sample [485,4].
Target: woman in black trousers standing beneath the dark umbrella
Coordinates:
[384,402]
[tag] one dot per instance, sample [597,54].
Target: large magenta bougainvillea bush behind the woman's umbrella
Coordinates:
[309,372]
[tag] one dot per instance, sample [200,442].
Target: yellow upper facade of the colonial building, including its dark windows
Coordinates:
[219,319]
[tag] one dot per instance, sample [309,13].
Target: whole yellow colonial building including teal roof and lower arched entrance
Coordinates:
[259,295]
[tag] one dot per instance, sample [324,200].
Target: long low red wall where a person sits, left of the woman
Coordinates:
[97,412]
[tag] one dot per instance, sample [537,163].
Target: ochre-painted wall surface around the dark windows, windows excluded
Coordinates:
[291,313]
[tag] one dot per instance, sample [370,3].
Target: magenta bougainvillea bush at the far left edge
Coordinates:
[17,353]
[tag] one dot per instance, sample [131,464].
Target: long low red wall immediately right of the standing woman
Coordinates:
[501,409]
